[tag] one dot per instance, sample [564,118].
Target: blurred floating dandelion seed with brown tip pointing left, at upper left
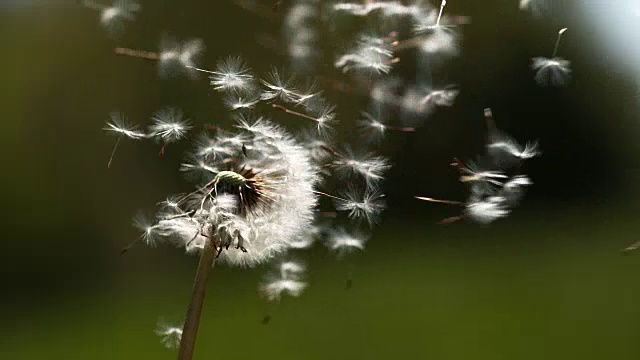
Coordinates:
[173,58]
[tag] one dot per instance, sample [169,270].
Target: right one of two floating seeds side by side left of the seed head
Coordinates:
[169,125]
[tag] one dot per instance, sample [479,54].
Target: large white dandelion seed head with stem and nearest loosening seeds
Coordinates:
[255,195]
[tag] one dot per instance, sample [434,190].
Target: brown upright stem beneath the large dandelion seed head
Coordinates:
[192,319]
